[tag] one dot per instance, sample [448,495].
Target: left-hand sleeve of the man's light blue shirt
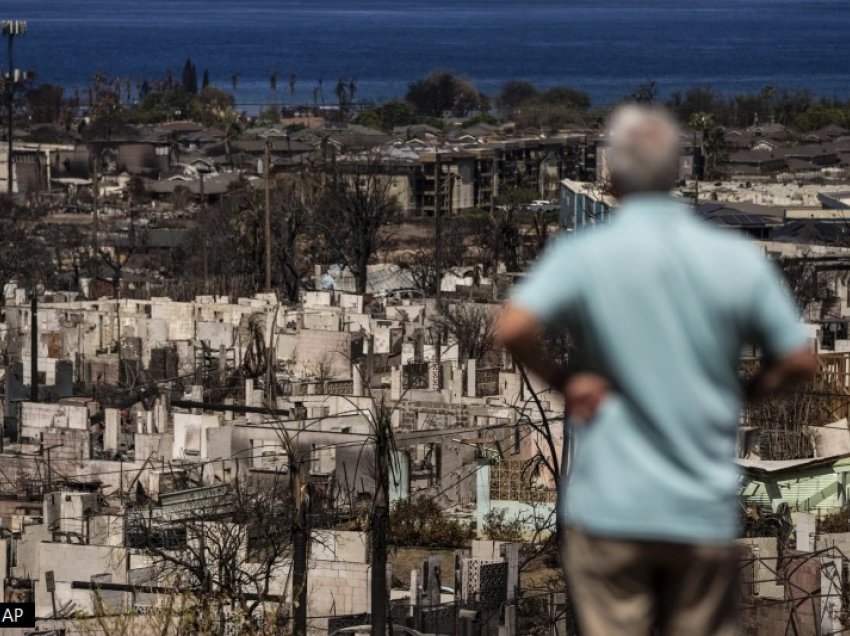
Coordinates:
[552,284]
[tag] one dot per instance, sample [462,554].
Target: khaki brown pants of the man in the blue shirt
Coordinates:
[636,588]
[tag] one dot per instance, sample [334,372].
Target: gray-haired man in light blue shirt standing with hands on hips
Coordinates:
[659,305]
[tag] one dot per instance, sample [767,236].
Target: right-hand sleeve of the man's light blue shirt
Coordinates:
[775,327]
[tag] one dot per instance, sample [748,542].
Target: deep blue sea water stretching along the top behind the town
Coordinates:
[605,47]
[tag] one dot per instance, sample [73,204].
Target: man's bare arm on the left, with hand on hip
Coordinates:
[519,332]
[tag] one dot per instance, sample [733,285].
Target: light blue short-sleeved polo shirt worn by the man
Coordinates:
[661,304]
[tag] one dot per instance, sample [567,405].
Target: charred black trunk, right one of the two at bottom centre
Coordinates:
[379,529]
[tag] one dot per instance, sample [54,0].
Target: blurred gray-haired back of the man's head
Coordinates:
[644,148]
